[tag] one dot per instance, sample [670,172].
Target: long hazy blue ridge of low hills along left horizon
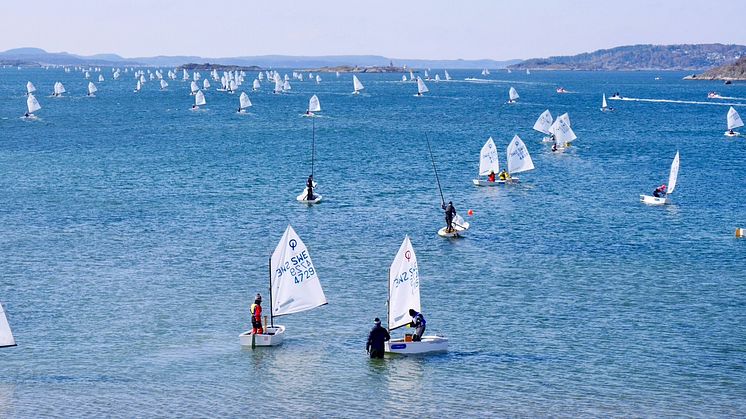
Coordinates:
[41,57]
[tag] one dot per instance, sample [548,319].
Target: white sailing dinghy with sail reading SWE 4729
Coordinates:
[294,287]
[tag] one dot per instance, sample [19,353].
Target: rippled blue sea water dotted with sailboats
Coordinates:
[134,234]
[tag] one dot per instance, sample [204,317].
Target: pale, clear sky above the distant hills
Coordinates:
[432,29]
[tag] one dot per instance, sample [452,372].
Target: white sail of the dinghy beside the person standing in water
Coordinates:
[404,286]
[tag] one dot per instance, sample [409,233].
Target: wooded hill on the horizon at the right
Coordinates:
[642,57]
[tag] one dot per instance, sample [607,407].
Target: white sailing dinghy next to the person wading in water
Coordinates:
[404,294]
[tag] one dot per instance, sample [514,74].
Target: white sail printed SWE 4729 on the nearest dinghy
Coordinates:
[294,281]
